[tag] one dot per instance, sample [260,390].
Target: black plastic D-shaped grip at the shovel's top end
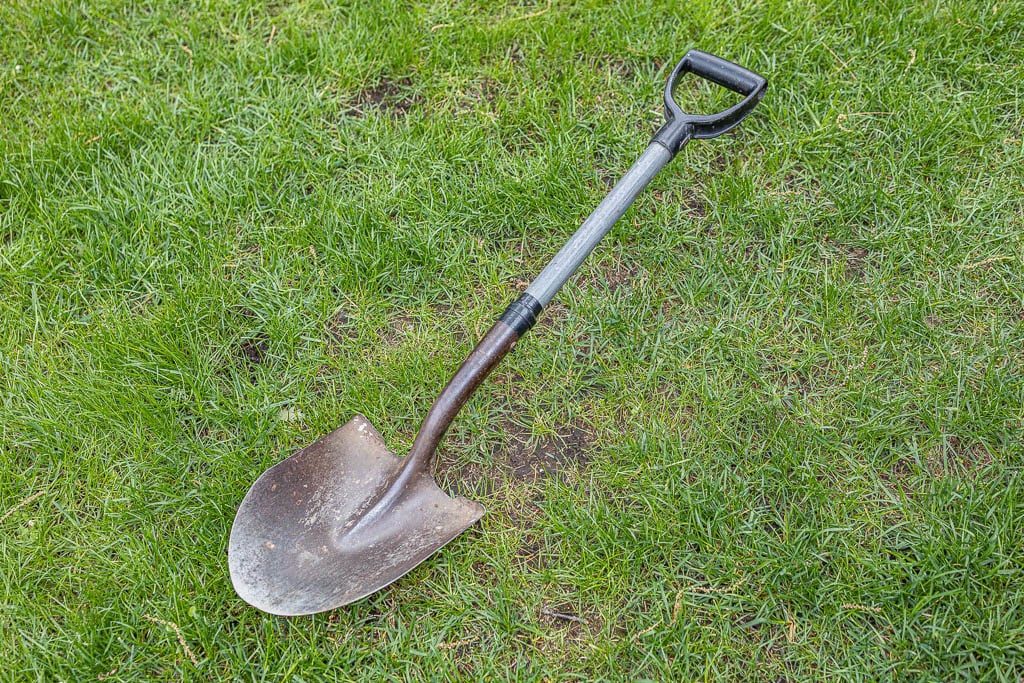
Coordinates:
[680,127]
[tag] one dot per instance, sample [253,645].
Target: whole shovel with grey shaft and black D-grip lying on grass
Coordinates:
[345,518]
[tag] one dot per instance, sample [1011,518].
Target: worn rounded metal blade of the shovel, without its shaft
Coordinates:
[304,542]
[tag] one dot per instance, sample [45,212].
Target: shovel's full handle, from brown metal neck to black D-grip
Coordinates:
[522,315]
